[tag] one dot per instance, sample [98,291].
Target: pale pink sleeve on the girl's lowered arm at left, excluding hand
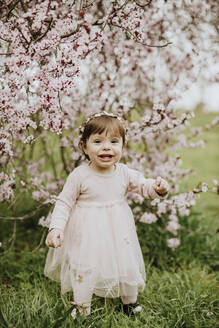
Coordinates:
[65,201]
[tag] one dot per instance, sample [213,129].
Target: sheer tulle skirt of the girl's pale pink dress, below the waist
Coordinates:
[100,249]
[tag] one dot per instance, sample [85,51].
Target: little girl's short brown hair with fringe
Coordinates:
[100,124]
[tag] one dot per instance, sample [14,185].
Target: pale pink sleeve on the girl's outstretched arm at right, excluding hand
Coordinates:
[139,184]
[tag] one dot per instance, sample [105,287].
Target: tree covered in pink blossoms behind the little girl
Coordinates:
[63,60]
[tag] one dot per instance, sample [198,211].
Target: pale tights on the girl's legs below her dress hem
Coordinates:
[83,295]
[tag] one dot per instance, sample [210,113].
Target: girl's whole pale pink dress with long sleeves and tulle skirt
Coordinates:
[101,247]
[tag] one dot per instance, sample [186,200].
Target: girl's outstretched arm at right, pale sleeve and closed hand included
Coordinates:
[148,188]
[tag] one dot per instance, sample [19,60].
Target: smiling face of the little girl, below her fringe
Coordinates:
[104,150]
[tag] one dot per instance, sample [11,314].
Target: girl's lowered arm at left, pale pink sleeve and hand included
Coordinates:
[65,201]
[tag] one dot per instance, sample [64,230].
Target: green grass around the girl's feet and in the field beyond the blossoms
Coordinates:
[182,287]
